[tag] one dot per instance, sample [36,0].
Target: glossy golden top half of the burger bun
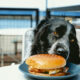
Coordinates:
[46,61]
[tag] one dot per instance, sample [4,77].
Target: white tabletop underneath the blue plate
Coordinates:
[13,73]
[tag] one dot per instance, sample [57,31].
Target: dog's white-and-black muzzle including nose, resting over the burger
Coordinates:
[60,49]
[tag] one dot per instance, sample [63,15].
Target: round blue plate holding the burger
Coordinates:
[73,69]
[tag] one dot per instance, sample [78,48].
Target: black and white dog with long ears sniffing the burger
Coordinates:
[56,36]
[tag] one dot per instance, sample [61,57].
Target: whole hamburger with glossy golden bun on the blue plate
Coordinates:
[47,65]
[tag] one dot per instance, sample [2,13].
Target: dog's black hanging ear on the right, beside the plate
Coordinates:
[74,48]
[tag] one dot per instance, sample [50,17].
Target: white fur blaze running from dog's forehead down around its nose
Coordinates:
[64,40]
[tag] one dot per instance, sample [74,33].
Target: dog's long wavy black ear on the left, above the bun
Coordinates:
[40,34]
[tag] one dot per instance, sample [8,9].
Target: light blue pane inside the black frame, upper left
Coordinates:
[15,22]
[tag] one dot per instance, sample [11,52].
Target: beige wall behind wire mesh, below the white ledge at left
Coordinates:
[7,45]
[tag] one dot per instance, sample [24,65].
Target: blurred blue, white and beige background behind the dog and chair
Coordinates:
[19,16]
